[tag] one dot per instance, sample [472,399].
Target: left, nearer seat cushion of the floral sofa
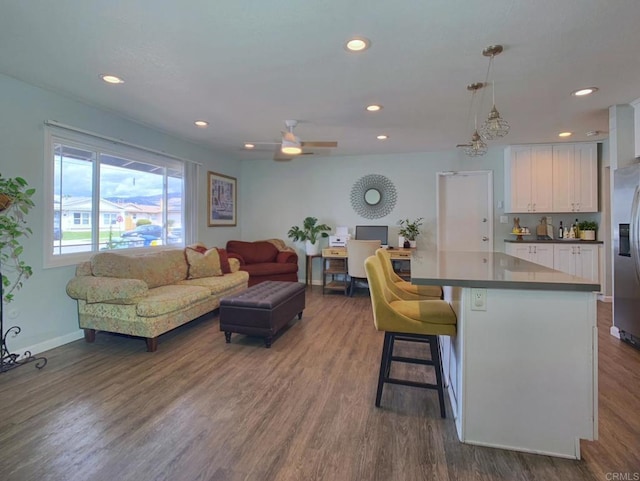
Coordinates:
[164,299]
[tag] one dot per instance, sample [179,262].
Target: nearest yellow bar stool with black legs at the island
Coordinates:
[412,321]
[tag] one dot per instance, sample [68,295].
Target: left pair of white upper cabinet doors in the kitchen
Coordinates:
[528,172]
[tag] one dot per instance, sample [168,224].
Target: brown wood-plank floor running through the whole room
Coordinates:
[200,409]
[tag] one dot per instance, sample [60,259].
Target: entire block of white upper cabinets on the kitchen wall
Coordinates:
[551,178]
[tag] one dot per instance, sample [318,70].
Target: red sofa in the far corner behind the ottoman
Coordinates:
[267,260]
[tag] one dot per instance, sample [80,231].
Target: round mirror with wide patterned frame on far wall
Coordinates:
[373,196]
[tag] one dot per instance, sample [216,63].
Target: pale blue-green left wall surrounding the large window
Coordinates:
[42,309]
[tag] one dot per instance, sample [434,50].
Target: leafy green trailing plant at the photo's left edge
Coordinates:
[15,203]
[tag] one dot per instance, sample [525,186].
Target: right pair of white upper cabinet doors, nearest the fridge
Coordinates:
[575,178]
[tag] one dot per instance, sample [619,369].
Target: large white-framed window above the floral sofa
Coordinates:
[103,194]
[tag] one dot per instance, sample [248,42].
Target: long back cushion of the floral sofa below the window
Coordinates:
[157,268]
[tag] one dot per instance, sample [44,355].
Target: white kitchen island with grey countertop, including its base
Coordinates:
[522,369]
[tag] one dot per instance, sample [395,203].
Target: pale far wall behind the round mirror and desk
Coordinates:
[278,195]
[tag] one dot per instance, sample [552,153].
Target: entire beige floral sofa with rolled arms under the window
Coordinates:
[149,294]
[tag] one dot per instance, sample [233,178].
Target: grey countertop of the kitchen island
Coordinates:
[490,270]
